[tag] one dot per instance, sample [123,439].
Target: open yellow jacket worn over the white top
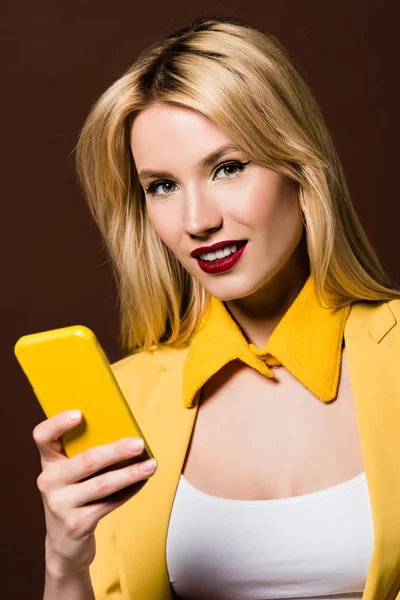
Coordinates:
[130,561]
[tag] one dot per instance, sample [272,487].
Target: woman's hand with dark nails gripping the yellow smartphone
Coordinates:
[75,498]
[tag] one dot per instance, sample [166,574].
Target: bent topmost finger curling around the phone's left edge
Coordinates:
[47,434]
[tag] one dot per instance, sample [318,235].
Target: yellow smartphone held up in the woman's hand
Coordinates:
[68,369]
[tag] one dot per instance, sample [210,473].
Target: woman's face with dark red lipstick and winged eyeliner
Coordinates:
[202,190]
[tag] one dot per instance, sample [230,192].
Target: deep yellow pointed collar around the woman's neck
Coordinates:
[307,341]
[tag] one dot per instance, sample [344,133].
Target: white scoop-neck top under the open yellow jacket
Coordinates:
[317,545]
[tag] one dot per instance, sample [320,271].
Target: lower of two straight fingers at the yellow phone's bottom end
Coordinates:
[109,483]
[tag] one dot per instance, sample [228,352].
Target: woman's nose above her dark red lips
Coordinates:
[202,215]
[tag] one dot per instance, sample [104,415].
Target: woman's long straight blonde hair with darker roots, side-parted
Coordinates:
[218,66]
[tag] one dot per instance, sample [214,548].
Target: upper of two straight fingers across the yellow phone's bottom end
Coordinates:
[89,462]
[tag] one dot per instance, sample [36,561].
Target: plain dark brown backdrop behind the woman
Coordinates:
[57,57]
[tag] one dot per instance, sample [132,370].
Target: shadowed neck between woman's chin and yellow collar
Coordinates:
[258,314]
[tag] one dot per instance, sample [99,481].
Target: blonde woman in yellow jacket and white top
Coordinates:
[262,342]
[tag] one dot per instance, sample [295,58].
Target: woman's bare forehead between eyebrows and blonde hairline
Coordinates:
[162,134]
